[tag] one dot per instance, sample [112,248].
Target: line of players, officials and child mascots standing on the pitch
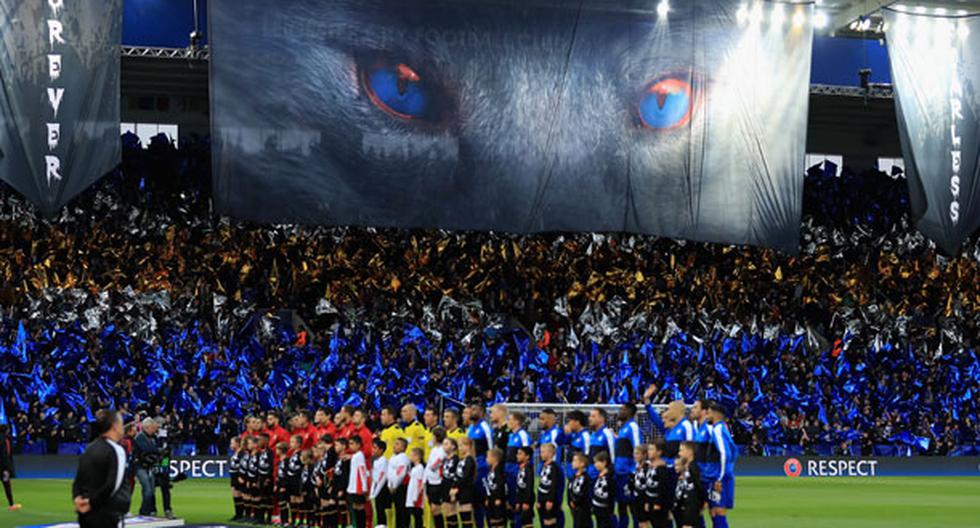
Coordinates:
[484,475]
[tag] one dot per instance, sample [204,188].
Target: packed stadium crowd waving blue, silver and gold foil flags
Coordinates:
[138,296]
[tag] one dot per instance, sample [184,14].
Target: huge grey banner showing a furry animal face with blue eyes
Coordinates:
[685,119]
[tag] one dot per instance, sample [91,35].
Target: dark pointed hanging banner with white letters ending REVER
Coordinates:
[59,96]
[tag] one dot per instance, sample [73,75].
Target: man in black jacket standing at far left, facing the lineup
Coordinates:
[99,491]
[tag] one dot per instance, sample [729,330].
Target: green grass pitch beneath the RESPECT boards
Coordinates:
[919,502]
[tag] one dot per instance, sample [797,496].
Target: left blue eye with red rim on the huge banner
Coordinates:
[397,91]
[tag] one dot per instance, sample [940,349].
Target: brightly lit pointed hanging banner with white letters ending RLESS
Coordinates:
[936,72]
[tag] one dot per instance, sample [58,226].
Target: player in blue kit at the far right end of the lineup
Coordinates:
[719,466]
